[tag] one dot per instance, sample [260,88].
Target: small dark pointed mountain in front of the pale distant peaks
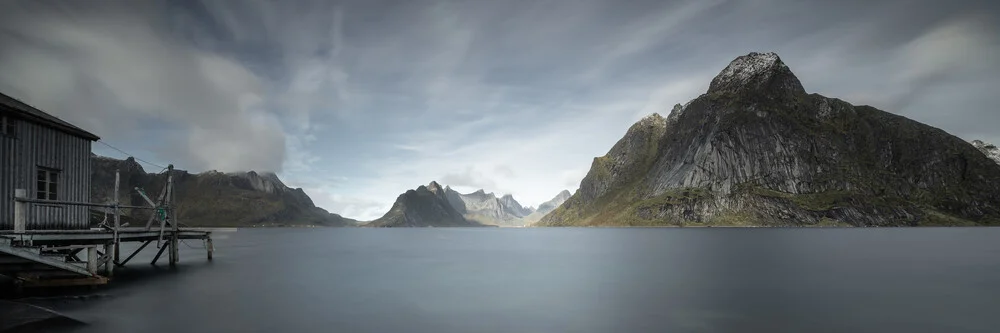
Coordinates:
[427,206]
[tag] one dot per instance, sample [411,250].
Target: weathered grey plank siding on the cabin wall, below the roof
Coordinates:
[37,146]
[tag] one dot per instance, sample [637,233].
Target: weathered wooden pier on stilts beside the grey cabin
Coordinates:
[40,258]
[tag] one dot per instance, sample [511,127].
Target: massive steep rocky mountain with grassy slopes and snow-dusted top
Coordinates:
[757,150]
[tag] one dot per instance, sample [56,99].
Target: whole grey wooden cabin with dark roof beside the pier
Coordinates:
[48,157]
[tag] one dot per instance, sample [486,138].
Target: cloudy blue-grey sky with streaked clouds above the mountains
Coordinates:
[358,101]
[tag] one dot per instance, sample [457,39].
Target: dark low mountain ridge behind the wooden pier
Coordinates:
[212,198]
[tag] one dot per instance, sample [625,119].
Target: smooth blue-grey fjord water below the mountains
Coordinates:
[562,280]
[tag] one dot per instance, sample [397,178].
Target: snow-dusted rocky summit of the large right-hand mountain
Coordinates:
[757,73]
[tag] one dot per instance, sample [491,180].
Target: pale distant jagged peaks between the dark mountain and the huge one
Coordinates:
[486,208]
